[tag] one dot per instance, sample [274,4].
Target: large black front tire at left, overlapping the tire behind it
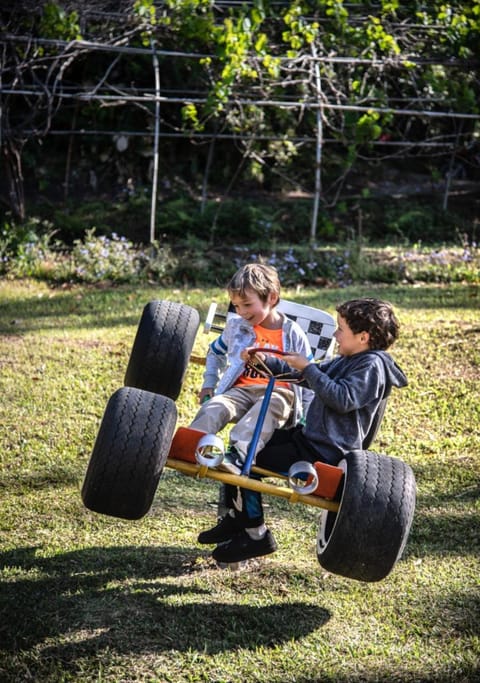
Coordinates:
[129,454]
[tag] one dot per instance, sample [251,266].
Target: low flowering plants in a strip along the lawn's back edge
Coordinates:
[193,260]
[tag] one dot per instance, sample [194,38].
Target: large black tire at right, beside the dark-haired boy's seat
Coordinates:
[366,537]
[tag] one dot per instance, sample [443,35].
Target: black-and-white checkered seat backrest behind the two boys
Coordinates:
[318,325]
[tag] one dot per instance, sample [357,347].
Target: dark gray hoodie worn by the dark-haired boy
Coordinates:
[349,393]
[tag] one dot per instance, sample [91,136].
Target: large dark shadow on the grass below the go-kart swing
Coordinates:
[117,598]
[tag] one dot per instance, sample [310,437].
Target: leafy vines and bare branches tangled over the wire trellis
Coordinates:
[367,81]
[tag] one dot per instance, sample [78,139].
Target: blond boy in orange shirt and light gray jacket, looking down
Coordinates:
[232,391]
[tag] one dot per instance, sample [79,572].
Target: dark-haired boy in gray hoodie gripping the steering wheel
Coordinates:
[350,392]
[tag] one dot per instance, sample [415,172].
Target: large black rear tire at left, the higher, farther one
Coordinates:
[162,346]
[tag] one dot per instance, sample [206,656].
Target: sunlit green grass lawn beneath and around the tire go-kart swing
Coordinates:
[91,598]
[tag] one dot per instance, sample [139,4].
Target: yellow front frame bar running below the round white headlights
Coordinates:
[200,471]
